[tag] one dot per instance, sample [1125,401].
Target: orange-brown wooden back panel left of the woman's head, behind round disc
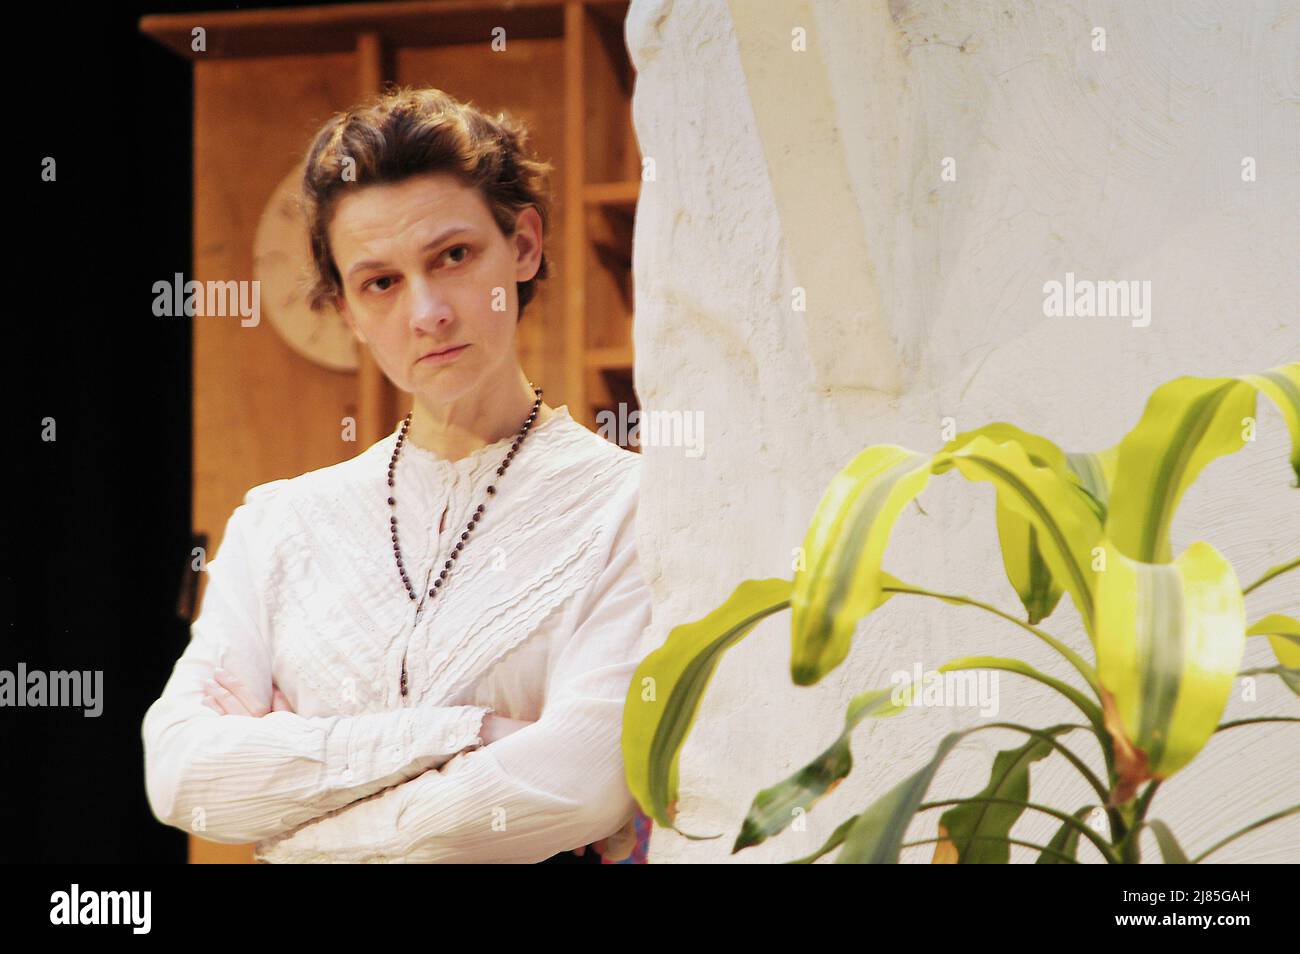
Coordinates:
[261,411]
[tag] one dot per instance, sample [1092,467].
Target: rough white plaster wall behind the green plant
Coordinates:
[777,170]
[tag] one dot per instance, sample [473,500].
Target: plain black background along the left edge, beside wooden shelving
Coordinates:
[97,531]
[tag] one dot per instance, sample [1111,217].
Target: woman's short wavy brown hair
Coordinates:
[406,132]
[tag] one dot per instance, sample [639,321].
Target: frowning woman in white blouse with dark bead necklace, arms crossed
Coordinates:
[423,653]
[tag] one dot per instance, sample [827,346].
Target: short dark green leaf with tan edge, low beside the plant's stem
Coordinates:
[977,832]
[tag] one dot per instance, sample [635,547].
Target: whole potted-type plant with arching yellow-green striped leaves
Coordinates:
[1168,634]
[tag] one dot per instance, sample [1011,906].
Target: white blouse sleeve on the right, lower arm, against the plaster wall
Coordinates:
[548,788]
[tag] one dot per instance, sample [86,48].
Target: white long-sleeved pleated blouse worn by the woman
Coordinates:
[540,618]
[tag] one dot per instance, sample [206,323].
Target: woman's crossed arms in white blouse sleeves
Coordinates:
[408,786]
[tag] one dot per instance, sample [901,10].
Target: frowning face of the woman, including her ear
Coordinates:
[424,268]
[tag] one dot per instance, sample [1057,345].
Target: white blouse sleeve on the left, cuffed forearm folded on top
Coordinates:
[242,779]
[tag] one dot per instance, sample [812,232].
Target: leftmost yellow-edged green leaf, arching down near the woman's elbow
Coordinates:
[670,684]
